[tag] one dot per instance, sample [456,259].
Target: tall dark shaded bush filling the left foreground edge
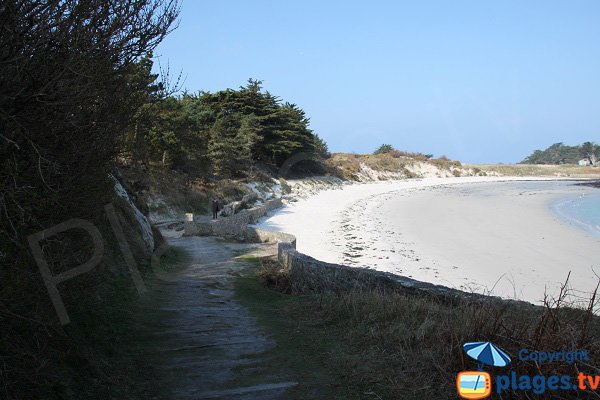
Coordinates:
[68,88]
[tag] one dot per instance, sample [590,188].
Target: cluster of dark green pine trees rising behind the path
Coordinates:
[222,133]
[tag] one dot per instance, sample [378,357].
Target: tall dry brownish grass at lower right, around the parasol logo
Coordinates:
[394,331]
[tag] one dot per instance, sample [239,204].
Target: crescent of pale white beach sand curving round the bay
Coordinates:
[458,232]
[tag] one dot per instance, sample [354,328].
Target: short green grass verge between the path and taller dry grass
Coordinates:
[303,346]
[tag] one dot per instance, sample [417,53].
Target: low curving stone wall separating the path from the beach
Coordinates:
[307,273]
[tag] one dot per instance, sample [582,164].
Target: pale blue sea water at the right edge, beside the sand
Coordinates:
[581,210]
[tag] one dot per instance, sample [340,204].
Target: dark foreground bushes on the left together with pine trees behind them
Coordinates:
[79,104]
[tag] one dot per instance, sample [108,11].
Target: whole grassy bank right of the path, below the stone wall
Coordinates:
[401,345]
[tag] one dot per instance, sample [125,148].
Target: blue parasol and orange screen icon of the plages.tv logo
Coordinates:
[478,384]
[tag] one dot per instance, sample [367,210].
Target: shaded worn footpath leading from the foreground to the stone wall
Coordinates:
[201,341]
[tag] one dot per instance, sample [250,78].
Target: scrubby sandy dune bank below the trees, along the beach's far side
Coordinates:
[168,193]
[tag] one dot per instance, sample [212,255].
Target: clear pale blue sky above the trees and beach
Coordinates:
[477,81]
